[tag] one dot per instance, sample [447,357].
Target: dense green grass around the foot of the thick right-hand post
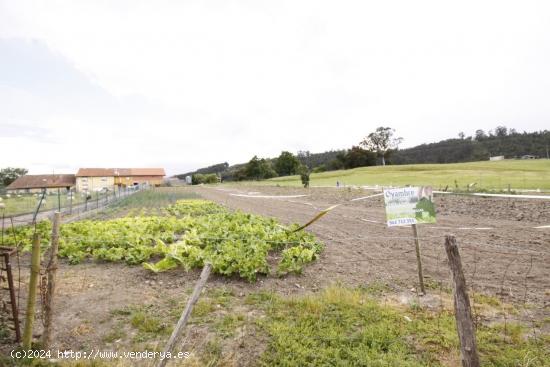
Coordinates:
[348,327]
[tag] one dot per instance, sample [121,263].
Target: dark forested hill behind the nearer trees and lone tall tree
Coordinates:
[510,144]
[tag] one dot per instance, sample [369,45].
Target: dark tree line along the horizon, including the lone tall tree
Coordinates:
[381,147]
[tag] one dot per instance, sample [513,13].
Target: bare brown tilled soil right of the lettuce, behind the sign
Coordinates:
[502,252]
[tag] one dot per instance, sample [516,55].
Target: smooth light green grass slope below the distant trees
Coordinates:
[519,174]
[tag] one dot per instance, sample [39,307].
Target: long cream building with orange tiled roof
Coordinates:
[97,179]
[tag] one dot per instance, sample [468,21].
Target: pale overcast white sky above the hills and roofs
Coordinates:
[186,84]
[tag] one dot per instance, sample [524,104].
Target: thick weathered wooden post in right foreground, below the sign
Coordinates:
[463,313]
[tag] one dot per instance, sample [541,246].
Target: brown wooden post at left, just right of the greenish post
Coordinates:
[50,290]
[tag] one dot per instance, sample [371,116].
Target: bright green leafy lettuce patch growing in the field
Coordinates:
[190,233]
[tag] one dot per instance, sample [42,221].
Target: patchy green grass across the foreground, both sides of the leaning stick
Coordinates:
[337,326]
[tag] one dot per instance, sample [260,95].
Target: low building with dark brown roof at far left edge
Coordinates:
[37,183]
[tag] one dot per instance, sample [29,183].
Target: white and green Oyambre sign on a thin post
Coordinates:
[409,205]
